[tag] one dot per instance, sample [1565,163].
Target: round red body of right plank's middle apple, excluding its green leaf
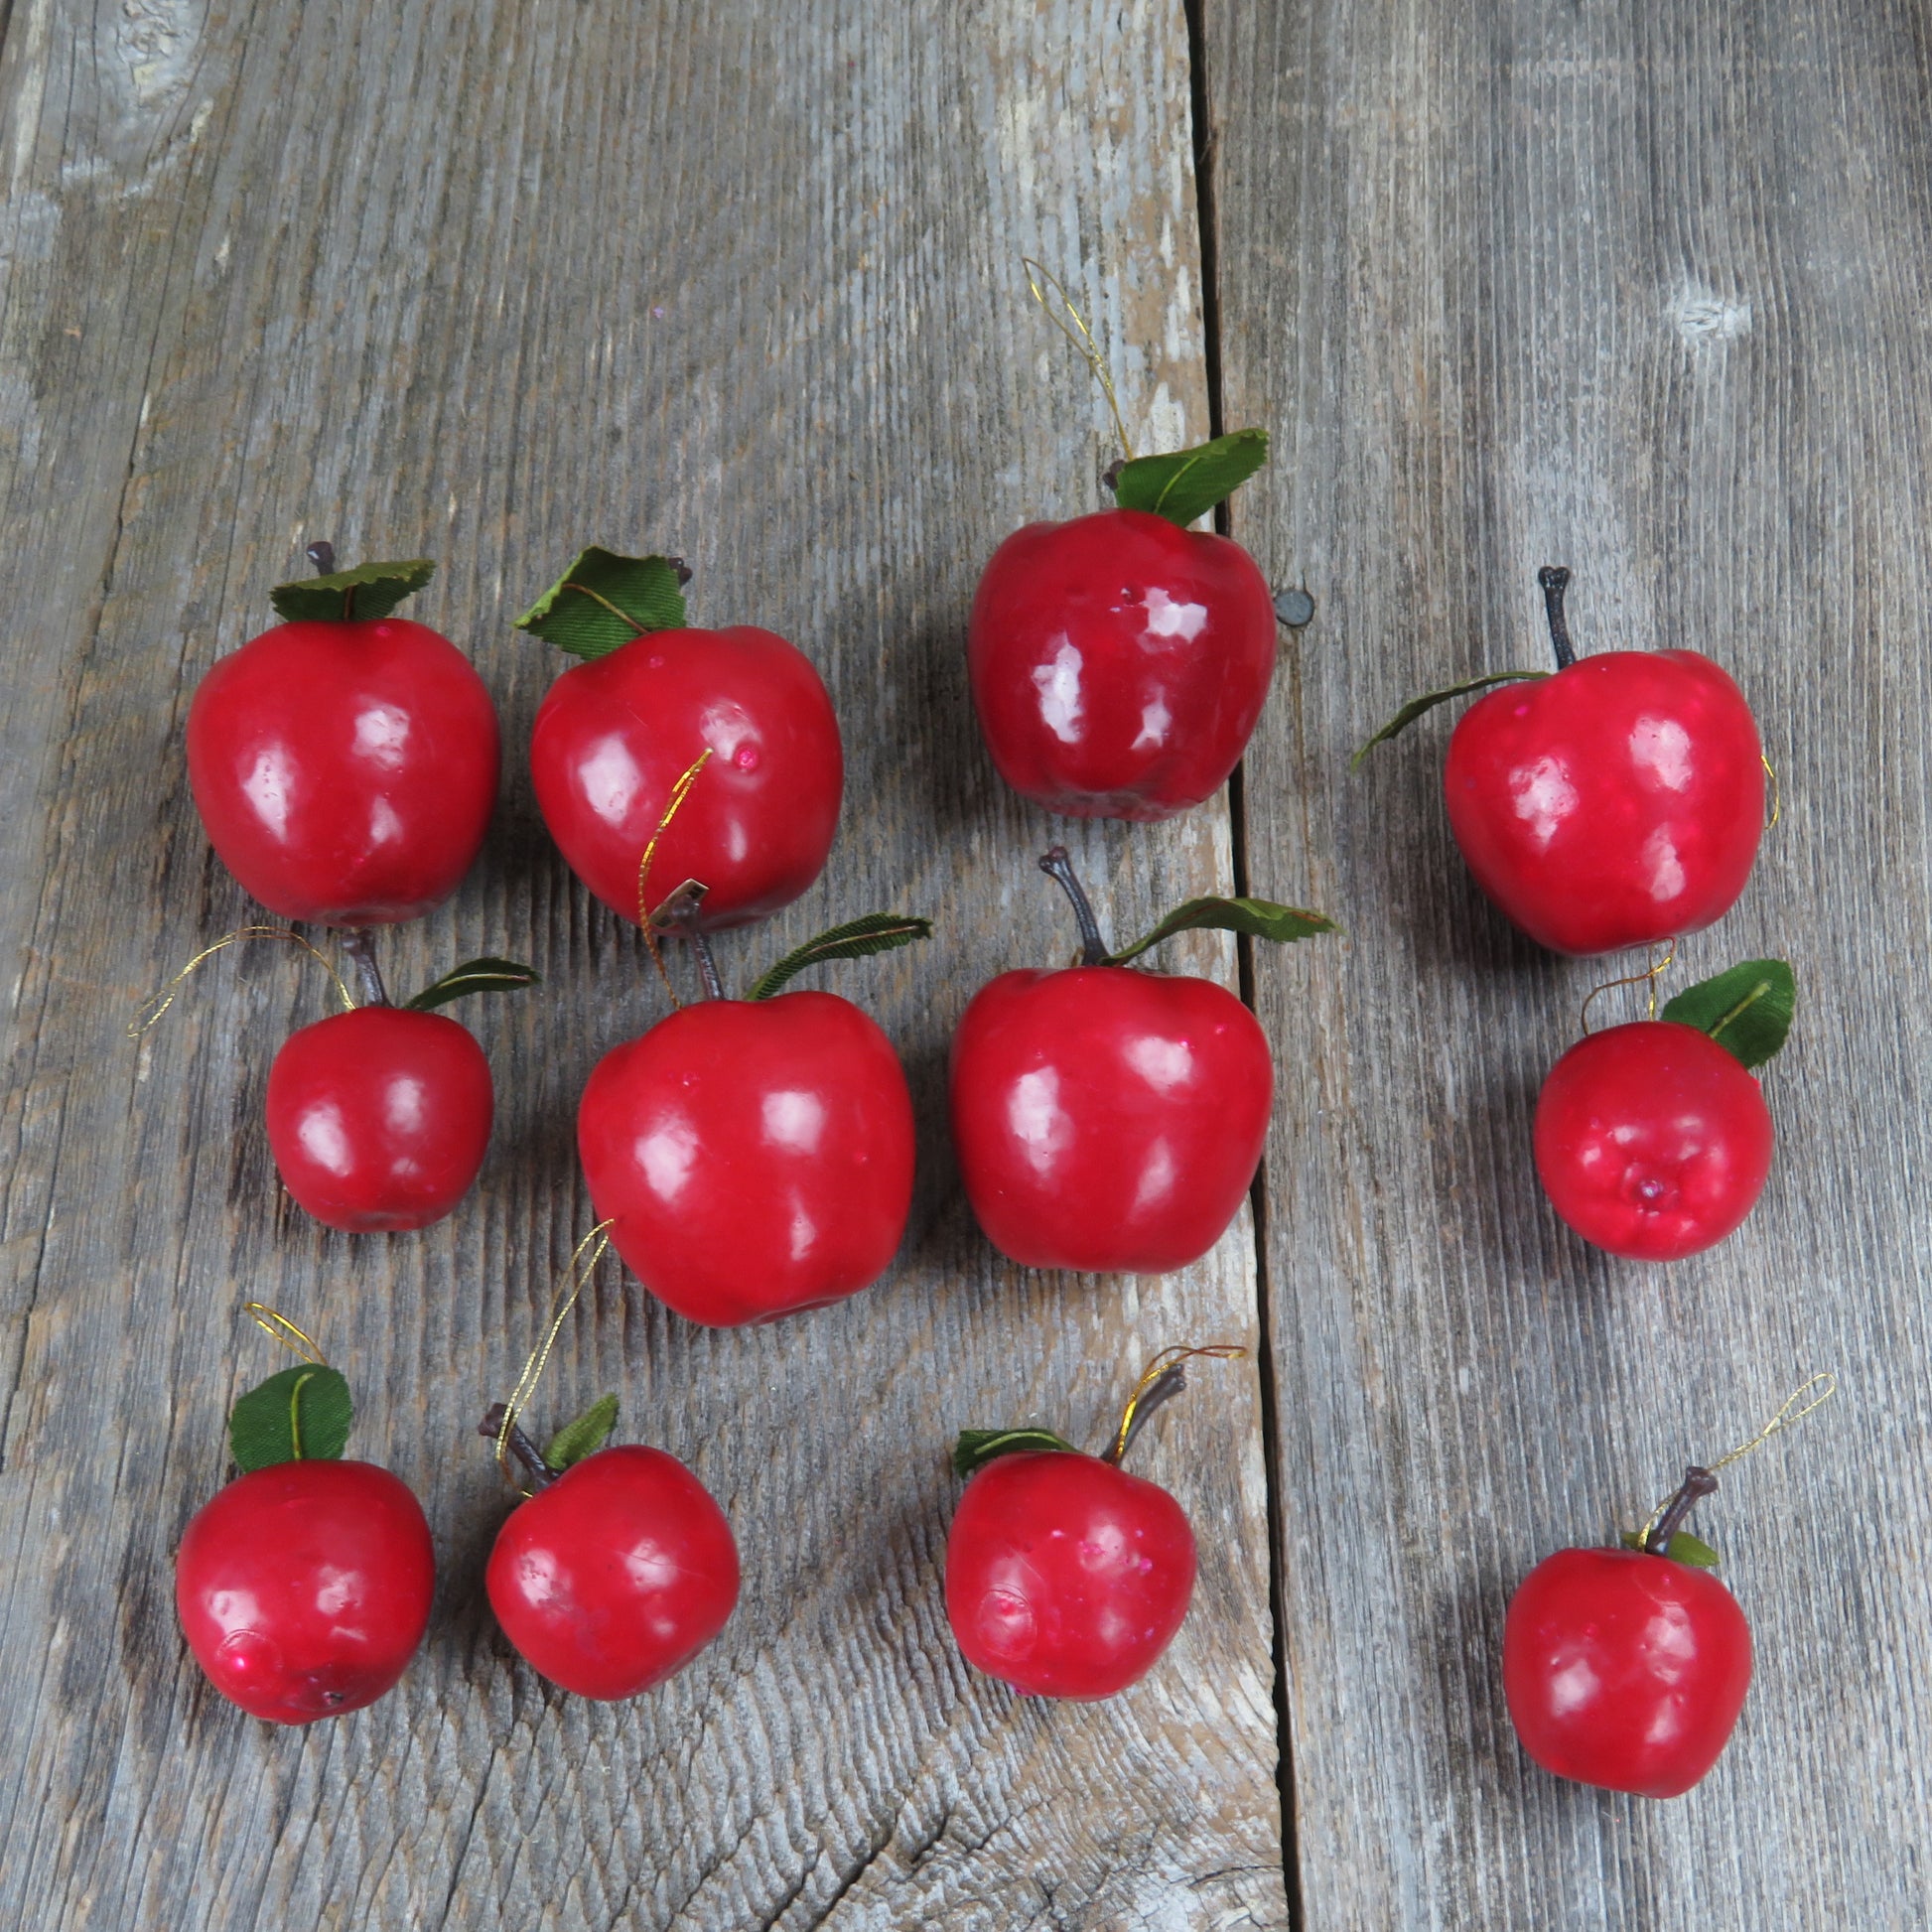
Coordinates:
[1653,1141]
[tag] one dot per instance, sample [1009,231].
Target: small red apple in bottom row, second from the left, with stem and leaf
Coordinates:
[619,1570]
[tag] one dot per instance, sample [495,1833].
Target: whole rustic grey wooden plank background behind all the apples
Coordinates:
[1635,289]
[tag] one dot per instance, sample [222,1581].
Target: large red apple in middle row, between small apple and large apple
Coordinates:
[754,1156]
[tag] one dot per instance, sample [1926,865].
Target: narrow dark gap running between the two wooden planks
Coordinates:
[1237,810]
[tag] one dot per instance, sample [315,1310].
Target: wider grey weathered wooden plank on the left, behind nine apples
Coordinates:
[490,281]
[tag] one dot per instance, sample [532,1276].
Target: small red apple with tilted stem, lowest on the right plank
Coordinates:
[1626,1668]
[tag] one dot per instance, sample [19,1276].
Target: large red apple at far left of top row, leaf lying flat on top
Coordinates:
[345,766]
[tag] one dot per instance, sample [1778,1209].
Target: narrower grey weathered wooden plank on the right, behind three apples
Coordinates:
[1641,291]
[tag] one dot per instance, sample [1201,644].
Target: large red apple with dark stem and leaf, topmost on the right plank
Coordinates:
[1612,803]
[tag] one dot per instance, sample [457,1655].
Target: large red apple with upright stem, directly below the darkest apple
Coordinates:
[1110,1120]
